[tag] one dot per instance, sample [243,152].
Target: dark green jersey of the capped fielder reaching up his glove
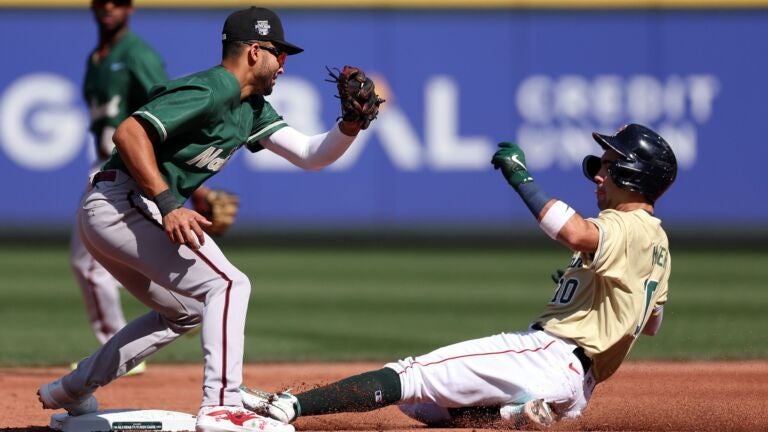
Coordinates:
[200,122]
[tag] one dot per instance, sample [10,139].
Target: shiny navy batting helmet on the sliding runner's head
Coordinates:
[646,164]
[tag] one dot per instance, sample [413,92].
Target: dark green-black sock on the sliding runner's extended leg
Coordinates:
[364,392]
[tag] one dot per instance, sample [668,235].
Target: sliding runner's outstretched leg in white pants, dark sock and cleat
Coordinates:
[506,369]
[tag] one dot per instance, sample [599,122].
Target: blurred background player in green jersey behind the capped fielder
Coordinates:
[119,74]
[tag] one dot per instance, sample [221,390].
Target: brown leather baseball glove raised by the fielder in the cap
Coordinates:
[357,93]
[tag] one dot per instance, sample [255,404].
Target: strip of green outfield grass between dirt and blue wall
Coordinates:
[369,304]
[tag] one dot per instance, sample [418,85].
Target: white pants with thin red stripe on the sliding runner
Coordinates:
[509,368]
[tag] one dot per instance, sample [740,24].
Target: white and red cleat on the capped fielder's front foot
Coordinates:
[236,419]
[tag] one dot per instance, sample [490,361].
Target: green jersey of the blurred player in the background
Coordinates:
[118,84]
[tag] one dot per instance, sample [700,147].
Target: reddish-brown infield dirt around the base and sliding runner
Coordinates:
[653,396]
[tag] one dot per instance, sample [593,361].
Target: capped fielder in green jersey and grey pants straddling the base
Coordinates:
[134,223]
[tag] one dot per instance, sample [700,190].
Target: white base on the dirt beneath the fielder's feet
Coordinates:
[124,420]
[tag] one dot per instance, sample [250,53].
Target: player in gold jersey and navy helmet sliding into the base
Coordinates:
[613,290]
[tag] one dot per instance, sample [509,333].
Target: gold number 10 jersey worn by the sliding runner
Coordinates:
[603,300]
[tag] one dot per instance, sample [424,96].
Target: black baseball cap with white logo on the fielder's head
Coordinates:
[260,24]
